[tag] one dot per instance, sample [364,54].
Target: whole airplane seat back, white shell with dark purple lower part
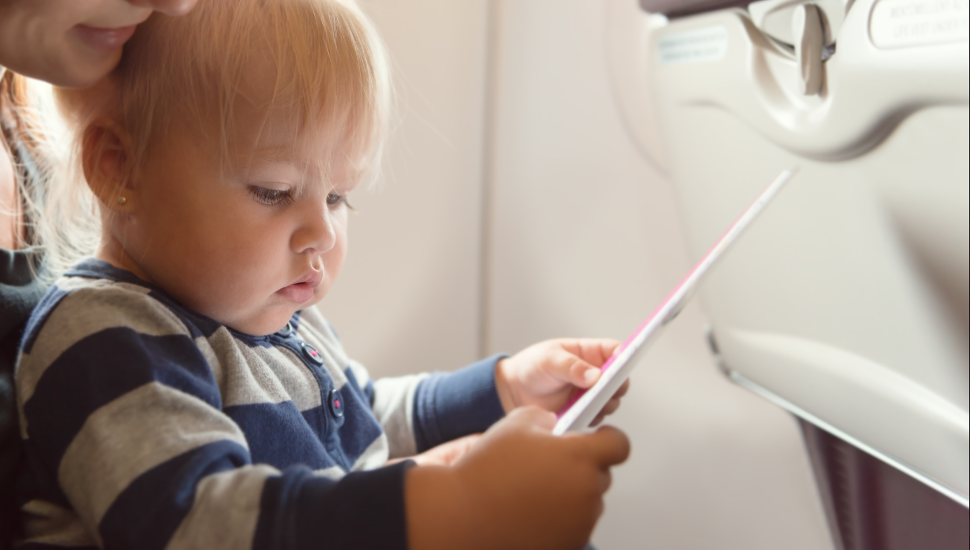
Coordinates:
[847,303]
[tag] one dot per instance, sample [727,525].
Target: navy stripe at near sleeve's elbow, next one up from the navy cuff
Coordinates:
[147,513]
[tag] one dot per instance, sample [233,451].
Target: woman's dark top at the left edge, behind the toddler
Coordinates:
[19,293]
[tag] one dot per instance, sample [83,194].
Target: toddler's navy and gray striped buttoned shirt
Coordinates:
[149,426]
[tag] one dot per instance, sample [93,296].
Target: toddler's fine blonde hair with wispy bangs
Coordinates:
[329,67]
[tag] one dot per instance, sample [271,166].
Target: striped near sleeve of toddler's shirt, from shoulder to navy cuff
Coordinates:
[129,448]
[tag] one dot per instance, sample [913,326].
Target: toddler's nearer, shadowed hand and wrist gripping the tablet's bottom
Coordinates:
[520,487]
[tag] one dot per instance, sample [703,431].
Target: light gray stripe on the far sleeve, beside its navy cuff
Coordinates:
[393,406]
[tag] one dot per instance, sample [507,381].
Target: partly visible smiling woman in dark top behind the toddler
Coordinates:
[71,43]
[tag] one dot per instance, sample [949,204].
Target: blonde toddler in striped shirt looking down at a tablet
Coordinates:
[178,389]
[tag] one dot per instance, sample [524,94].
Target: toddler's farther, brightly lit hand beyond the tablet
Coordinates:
[546,374]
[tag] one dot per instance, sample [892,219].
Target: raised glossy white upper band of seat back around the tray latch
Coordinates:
[867,90]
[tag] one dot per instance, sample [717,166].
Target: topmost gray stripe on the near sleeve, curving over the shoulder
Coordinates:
[93,306]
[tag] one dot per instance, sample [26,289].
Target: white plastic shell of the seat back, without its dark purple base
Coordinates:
[849,299]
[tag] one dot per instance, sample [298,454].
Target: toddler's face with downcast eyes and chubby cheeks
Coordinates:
[247,248]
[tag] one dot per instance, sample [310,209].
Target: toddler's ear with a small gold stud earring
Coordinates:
[106,158]
